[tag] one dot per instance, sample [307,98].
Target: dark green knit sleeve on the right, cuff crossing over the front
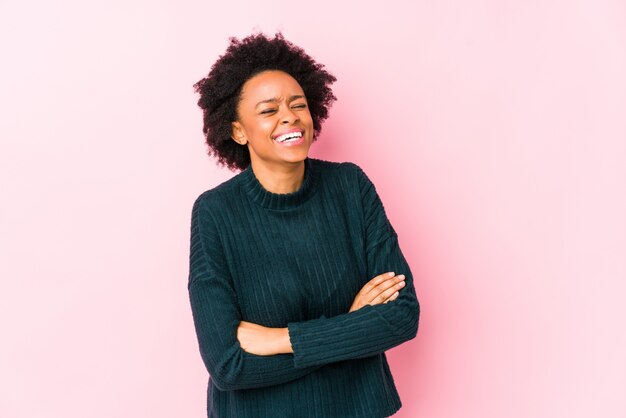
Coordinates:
[373,328]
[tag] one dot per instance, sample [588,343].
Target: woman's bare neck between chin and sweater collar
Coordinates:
[279,178]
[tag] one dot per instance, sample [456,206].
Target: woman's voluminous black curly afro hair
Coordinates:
[220,90]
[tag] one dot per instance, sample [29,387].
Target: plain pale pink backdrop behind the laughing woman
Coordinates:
[495,132]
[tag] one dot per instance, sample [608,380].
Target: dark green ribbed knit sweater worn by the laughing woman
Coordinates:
[298,260]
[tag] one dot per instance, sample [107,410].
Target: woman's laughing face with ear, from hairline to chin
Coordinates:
[274,121]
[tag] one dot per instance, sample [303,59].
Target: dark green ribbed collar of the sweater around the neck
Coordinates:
[269,200]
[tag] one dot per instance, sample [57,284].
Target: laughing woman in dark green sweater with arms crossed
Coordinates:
[292,283]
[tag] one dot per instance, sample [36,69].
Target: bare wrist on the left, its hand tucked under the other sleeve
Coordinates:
[263,341]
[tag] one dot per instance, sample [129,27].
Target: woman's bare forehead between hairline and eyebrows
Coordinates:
[270,84]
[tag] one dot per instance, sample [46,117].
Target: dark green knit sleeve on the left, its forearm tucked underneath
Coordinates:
[216,316]
